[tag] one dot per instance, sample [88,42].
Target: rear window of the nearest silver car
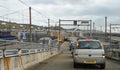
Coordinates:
[89,45]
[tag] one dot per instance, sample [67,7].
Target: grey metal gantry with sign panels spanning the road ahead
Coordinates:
[78,23]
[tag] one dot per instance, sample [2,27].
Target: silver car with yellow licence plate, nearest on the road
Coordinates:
[89,52]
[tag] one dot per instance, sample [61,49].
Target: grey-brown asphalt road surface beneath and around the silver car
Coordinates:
[64,61]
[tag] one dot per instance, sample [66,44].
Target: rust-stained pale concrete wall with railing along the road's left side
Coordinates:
[21,61]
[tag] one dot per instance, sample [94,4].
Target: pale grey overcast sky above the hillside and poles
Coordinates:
[95,10]
